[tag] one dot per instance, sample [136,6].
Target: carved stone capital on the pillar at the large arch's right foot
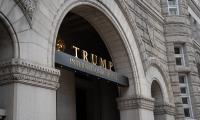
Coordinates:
[135,103]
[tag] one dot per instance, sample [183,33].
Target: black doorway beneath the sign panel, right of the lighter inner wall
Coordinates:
[95,99]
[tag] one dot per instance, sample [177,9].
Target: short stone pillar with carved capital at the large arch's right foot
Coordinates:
[139,108]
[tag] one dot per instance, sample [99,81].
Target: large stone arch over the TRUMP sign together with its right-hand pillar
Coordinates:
[109,21]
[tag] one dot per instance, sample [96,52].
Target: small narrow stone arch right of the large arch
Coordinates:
[163,108]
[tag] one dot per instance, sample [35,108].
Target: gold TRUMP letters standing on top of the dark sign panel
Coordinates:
[92,58]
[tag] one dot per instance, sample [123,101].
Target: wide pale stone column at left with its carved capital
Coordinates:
[27,90]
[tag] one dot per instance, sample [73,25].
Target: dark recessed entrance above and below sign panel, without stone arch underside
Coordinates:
[83,96]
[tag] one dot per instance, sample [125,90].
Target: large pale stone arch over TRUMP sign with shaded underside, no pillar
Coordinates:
[119,40]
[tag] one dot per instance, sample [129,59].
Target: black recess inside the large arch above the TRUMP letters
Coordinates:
[76,31]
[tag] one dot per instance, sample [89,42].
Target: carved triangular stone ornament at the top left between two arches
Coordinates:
[28,7]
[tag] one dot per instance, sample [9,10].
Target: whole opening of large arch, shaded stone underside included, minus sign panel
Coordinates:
[90,98]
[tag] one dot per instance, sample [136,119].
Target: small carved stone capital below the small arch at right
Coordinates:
[164,109]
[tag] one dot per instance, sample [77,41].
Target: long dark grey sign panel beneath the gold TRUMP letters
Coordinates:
[89,68]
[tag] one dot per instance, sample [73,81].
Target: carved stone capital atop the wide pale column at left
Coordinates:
[21,71]
